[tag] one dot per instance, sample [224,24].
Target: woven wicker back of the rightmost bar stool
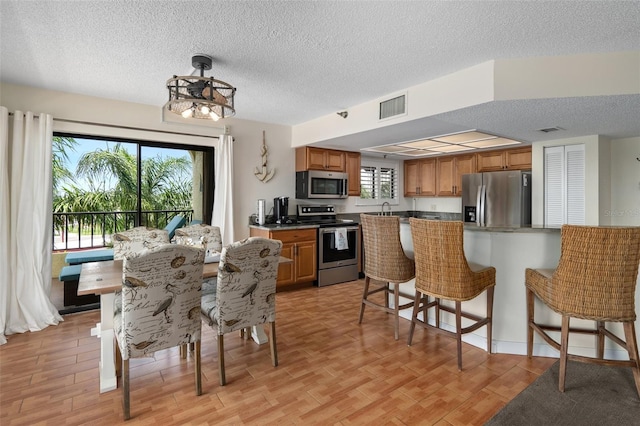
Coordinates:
[597,273]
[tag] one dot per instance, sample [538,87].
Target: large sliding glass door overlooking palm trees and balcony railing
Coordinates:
[103,185]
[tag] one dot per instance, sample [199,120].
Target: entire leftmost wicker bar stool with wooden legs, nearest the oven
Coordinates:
[386,262]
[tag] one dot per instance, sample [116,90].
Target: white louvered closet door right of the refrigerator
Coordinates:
[564,190]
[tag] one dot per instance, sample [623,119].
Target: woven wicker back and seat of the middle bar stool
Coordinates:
[442,269]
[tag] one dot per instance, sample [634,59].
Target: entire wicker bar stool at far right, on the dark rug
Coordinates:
[595,280]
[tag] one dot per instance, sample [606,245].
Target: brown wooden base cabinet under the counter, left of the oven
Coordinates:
[298,245]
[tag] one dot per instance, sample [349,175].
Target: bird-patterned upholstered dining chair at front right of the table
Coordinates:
[246,292]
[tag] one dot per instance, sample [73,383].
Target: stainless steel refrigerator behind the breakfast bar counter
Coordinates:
[497,198]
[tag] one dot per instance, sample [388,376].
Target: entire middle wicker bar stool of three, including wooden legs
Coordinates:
[442,272]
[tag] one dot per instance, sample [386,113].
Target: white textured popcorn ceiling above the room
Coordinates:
[293,61]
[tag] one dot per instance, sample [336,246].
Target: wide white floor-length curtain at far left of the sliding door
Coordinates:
[25,223]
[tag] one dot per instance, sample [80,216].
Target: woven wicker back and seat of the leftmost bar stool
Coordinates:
[384,258]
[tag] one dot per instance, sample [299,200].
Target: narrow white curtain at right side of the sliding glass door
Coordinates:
[223,194]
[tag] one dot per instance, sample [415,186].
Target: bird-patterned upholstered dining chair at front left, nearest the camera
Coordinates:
[160,301]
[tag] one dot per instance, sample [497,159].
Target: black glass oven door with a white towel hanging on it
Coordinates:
[335,249]
